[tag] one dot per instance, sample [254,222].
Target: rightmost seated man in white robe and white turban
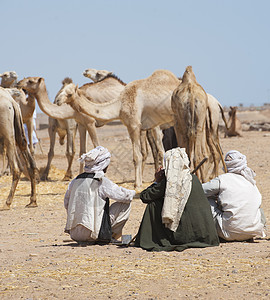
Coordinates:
[235,200]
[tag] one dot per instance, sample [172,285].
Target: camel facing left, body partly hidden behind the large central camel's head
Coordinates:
[108,89]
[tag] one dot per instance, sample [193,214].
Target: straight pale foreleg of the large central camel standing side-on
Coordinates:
[134,133]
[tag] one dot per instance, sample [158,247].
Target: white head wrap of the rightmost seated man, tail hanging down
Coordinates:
[236,162]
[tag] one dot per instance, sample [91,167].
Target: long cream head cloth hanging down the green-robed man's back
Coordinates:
[178,187]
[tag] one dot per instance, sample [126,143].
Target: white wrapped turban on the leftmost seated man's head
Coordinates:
[96,160]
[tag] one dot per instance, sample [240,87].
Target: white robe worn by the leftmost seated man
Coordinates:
[85,201]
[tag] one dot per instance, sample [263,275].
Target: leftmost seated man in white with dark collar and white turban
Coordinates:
[89,216]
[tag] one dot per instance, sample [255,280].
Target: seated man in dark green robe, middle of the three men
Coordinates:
[178,215]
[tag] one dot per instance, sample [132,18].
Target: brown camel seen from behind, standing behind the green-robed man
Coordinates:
[194,127]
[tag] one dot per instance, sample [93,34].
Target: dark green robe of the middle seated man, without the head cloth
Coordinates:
[195,230]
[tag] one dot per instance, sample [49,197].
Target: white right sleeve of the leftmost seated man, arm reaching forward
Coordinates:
[108,189]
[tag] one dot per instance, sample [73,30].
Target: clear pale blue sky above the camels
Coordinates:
[226,42]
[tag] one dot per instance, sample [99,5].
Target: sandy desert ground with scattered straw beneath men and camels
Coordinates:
[38,261]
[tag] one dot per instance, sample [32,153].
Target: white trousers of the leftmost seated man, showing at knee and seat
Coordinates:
[119,214]
